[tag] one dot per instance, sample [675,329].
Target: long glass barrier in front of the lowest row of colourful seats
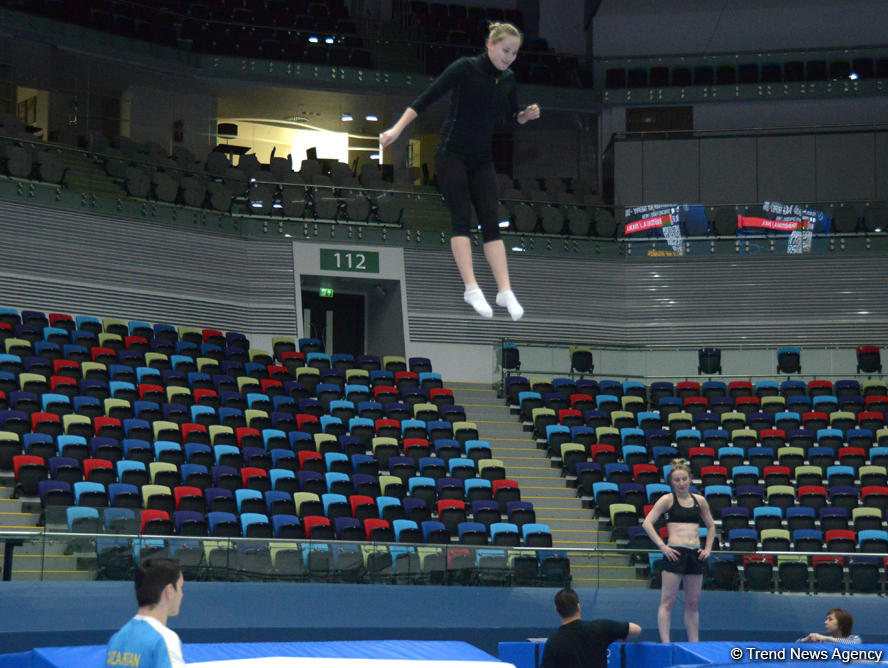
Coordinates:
[104,556]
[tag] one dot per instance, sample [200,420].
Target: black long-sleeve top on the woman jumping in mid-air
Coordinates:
[481,96]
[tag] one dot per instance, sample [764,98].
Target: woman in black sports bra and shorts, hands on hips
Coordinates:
[684,559]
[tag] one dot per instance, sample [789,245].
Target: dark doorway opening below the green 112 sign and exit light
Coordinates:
[337,320]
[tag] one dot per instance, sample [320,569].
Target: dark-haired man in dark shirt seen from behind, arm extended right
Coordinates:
[580,644]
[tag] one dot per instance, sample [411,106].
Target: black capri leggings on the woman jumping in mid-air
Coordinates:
[464,182]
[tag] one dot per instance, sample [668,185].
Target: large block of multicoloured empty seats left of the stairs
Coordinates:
[190,432]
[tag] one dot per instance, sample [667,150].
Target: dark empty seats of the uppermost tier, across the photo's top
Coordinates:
[324,33]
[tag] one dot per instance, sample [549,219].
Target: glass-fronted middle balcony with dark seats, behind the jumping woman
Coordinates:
[136,180]
